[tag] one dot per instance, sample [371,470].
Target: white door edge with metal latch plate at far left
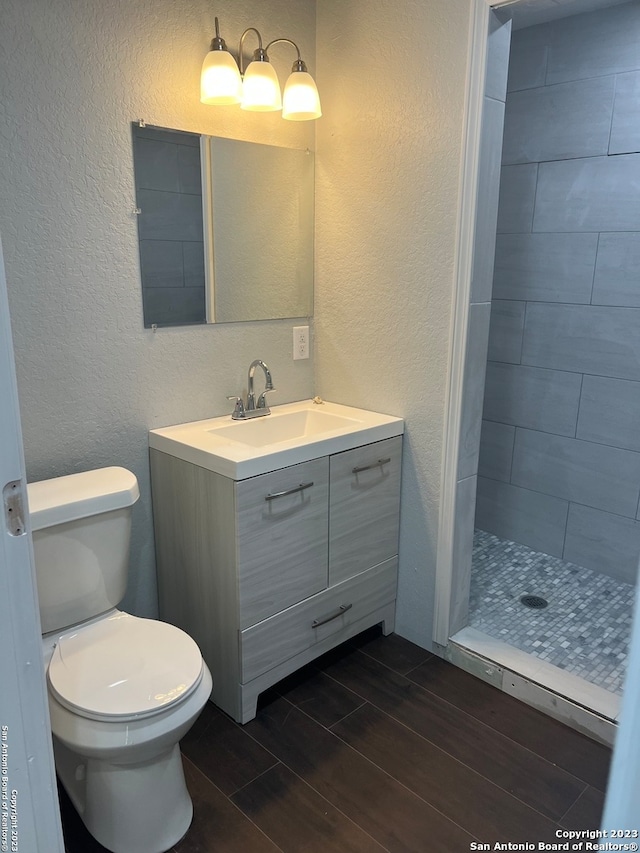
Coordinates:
[29,815]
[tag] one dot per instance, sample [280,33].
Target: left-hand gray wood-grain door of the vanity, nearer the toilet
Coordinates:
[282,538]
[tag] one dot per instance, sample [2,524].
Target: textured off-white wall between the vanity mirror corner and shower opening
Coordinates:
[388,165]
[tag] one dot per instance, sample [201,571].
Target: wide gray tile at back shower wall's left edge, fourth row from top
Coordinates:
[545,267]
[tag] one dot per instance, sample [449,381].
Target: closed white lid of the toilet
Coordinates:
[125,667]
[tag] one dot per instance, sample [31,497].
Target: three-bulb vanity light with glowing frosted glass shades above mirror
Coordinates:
[257,88]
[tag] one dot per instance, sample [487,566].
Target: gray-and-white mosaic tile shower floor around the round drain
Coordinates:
[585,628]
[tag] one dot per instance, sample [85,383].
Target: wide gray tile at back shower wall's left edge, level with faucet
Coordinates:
[532,398]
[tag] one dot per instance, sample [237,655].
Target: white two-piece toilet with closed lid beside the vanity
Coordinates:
[122,689]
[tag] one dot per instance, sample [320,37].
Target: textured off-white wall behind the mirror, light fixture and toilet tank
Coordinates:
[92,381]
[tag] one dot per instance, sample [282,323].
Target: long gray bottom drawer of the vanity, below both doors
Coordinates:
[287,634]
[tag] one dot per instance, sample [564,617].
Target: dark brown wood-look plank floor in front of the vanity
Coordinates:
[382,746]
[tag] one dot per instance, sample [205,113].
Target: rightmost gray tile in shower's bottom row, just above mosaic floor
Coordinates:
[603,542]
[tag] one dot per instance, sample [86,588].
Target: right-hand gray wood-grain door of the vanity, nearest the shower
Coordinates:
[364,509]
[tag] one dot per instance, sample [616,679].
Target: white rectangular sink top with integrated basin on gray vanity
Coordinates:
[292,433]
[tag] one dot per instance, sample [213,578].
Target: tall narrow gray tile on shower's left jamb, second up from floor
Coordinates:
[473,389]
